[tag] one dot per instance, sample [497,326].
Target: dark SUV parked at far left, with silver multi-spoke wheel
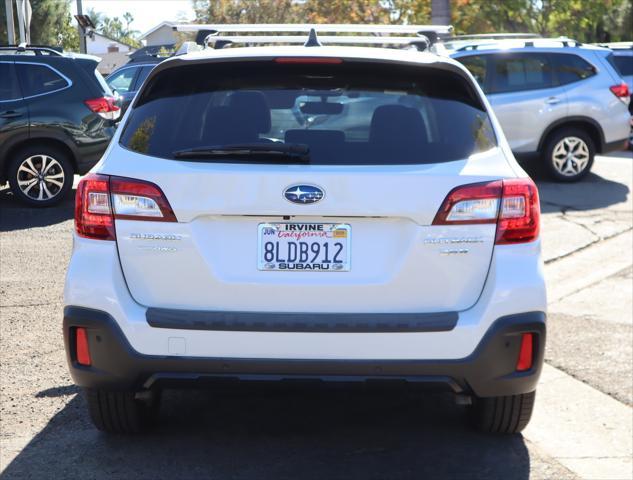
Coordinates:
[57,116]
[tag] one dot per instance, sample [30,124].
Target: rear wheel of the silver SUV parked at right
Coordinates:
[568,154]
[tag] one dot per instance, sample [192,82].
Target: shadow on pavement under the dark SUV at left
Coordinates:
[14,215]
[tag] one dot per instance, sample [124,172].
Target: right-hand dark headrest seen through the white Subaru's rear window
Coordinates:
[397,123]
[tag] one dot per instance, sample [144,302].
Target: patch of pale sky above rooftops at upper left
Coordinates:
[147,13]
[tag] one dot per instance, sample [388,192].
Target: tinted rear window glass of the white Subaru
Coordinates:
[345,114]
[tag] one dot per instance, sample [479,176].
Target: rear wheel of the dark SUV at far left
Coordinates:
[40,175]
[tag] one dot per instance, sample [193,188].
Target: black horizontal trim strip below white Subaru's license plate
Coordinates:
[301,322]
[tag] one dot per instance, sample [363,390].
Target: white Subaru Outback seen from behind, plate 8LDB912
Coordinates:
[328,213]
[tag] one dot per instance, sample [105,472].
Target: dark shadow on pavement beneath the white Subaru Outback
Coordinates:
[295,434]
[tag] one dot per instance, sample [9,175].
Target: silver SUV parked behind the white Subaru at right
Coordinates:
[557,99]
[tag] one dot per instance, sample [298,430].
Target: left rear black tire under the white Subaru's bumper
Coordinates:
[121,412]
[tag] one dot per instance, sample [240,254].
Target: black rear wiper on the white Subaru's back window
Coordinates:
[290,151]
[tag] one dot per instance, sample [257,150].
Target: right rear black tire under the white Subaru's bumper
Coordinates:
[509,414]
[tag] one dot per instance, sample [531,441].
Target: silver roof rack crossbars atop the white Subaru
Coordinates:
[420,36]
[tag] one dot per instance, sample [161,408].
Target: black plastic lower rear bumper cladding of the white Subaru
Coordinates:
[488,371]
